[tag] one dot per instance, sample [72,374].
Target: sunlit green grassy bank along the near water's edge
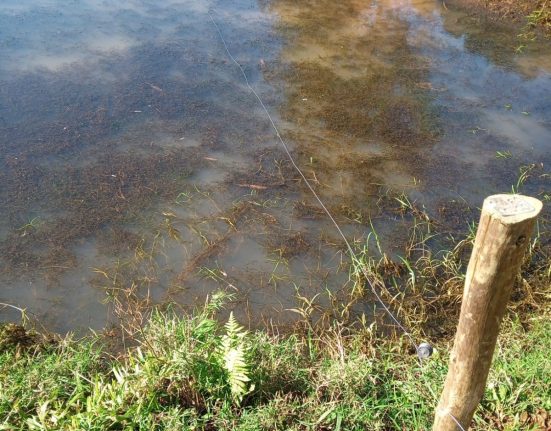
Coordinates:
[178,377]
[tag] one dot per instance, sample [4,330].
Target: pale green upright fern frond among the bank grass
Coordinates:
[234,357]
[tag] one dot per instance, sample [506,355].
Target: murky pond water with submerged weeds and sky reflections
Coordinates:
[132,155]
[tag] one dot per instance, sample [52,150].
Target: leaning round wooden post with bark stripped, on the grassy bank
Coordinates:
[506,224]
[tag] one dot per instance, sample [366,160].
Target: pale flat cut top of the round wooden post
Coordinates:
[511,209]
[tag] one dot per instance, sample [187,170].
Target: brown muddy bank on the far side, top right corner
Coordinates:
[534,15]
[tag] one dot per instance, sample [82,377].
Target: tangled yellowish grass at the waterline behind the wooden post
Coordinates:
[424,281]
